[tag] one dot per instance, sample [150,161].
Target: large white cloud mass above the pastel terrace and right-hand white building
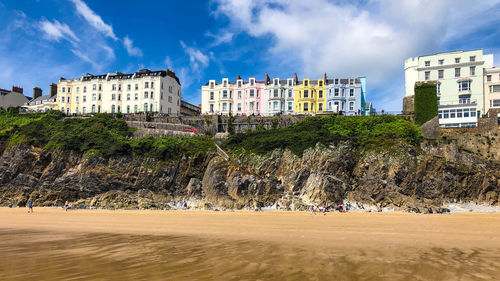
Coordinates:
[343,38]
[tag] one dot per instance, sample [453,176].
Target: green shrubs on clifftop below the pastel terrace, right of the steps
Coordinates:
[361,131]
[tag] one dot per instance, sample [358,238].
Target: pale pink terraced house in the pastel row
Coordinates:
[247,97]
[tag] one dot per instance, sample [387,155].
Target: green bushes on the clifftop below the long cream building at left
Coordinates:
[101,134]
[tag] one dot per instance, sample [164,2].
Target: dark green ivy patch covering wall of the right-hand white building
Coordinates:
[426,106]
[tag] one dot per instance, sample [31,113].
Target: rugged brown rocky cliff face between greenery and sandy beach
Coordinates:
[400,178]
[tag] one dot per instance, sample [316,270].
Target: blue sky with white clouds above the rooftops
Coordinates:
[43,40]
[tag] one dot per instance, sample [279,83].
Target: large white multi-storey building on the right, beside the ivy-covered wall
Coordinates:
[459,77]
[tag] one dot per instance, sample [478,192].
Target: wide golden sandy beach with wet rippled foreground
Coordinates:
[200,245]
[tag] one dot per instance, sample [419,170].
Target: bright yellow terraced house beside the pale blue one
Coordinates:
[310,96]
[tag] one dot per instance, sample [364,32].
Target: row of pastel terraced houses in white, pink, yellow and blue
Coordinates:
[285,96]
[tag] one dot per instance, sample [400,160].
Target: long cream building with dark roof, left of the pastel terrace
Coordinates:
[142,91]
